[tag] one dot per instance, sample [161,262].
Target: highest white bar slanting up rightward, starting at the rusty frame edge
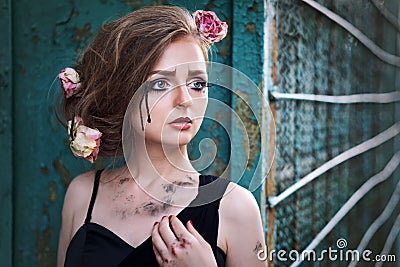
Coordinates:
[348,154]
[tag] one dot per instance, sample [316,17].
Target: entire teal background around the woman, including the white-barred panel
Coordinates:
[322,156]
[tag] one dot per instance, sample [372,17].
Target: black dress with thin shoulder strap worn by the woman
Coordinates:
[96,246]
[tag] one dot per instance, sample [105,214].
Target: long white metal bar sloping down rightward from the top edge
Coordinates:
[375,49]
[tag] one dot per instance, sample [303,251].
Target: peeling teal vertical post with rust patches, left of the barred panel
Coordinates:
[247,57]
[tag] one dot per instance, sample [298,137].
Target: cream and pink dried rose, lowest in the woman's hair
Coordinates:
[84,141]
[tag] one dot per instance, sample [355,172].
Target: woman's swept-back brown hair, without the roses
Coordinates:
[118,62]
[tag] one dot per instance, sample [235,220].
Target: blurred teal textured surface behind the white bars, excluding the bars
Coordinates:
[314,55]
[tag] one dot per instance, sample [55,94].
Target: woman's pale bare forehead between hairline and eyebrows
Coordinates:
[184,53]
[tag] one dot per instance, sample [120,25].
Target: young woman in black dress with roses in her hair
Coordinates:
[150,67]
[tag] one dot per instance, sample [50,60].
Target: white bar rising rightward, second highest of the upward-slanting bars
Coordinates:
[352,201]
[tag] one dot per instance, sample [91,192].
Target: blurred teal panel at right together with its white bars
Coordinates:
[335,175]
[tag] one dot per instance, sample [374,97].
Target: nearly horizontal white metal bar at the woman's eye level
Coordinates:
[382,98]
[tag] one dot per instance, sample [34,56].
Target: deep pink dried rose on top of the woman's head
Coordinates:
[209,26]
